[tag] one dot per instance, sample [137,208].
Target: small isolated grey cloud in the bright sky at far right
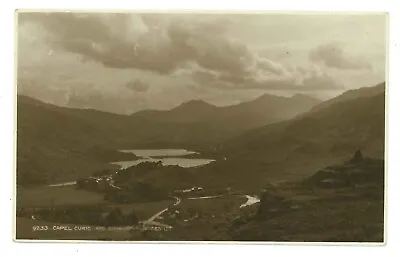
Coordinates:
[332,55]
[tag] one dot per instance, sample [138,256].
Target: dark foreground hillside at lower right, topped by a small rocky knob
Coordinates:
[339,203]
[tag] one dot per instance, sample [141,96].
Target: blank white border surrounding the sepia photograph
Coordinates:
[7,128]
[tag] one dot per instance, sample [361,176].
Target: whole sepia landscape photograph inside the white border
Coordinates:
[200,126]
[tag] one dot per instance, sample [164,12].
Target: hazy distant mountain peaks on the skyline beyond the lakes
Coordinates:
[263,110]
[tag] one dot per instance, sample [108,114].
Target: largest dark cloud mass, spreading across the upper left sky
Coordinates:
[134,41]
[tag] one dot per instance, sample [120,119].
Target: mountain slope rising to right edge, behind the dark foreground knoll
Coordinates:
[354,119]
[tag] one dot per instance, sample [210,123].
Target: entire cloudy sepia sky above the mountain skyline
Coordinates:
[127,62]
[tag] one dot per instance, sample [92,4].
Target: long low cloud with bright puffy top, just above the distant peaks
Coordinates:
[266,75]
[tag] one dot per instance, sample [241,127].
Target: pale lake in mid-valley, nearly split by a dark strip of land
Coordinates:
[166,156]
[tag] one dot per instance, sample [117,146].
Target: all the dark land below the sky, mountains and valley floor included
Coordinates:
[198,174]
